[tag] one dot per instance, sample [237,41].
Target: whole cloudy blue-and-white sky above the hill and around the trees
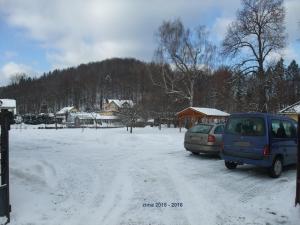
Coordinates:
[41,35]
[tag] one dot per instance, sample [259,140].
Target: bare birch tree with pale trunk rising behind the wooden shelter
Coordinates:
[184,55]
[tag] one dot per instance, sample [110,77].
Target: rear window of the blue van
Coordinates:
[246,126]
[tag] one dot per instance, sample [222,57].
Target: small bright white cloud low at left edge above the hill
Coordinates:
[10,69]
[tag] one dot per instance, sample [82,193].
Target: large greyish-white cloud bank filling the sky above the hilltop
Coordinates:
[78,31]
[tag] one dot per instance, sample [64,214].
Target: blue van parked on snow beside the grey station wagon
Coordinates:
[260,139]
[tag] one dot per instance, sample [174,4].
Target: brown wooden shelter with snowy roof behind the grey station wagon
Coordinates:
[192,115]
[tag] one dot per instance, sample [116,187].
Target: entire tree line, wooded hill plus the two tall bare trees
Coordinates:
[185,71]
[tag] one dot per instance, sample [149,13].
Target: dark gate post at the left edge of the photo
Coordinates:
[6,118]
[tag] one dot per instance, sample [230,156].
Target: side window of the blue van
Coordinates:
[283,129]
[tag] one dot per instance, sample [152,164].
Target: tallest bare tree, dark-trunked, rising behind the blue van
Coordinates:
[257,32]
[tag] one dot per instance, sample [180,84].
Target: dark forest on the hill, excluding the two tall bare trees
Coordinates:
[87,85]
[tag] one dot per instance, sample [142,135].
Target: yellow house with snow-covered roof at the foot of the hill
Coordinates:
[112,106]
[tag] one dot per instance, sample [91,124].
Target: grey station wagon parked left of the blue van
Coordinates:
[204,138]
